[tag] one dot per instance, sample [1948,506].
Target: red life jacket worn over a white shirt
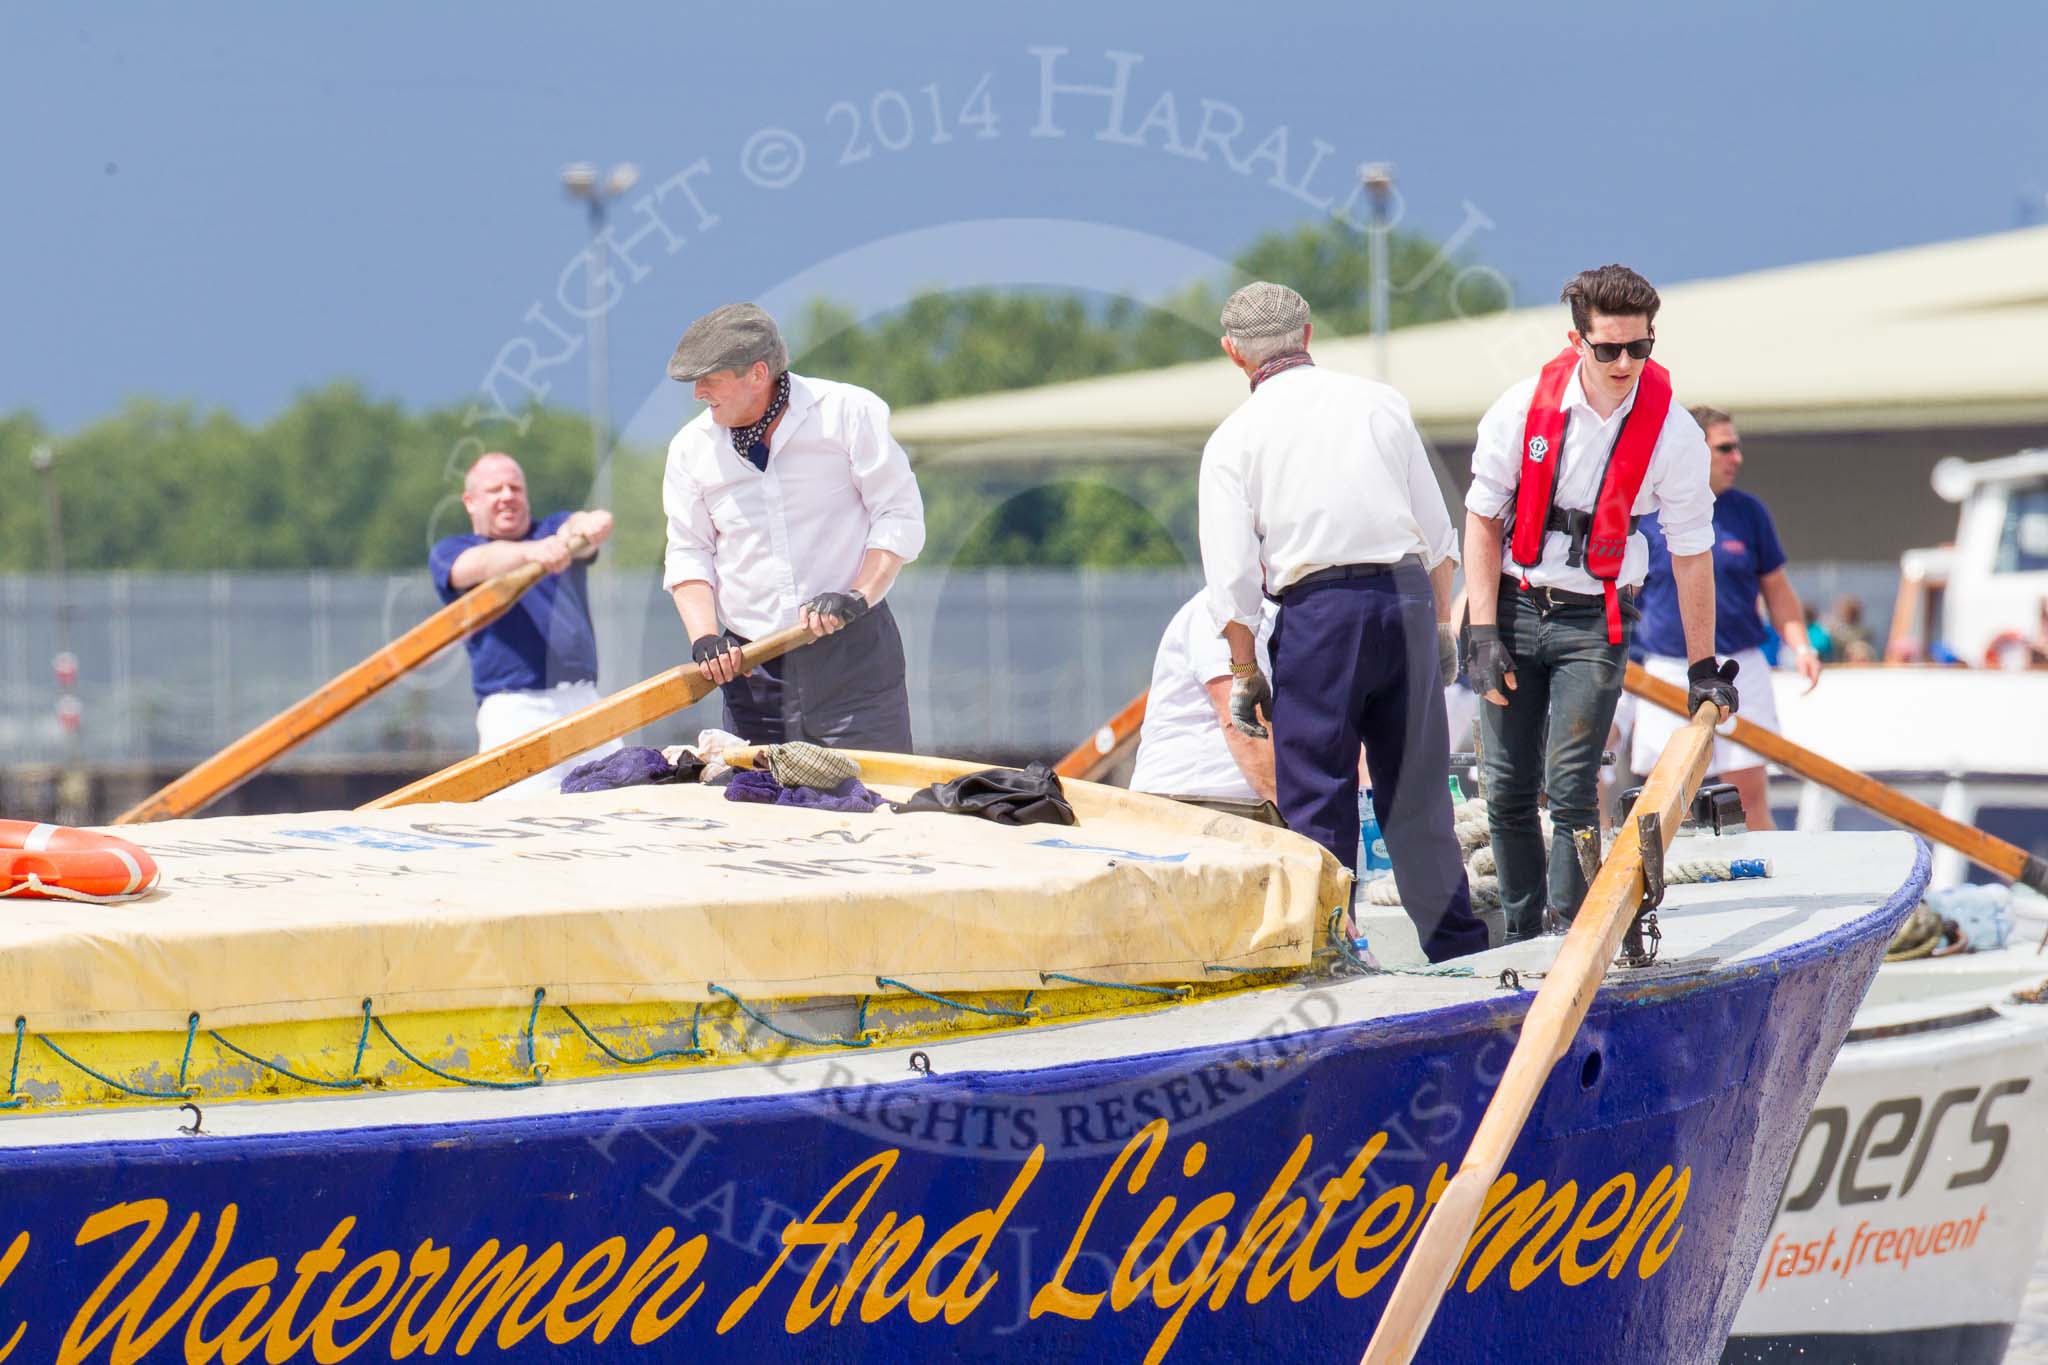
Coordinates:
[1543,441]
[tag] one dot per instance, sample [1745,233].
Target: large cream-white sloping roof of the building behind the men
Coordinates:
[1951,337]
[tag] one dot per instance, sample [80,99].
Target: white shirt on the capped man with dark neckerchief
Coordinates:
[769,541]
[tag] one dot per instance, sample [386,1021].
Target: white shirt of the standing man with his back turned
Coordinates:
[1316,470]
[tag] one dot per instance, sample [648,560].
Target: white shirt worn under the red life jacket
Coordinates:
[1674,488]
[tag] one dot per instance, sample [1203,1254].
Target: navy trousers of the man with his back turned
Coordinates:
[1355,660]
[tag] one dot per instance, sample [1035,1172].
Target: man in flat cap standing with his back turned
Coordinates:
[1318,494]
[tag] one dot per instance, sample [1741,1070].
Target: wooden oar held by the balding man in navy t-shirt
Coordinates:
[292,728]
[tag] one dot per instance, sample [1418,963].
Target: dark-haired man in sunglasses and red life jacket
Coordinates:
[1564,468]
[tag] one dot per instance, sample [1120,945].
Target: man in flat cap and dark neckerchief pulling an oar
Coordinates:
[790,502]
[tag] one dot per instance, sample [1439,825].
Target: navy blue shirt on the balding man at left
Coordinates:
[546,640]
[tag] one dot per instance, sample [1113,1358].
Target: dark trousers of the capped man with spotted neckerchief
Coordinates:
[847,691]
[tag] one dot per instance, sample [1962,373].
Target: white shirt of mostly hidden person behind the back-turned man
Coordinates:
[1183,750]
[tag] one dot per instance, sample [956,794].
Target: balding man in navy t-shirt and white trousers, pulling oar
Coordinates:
[540,662]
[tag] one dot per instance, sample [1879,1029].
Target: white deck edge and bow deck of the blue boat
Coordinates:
[1820,885]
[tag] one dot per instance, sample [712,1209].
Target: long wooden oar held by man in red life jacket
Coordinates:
[1555,1014]
